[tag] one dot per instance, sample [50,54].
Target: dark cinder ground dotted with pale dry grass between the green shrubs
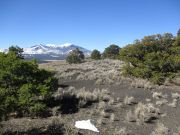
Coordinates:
[130,105]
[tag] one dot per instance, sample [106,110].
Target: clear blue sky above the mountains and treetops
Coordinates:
[88,23]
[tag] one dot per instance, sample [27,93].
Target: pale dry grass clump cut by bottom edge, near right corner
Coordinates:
[160,130]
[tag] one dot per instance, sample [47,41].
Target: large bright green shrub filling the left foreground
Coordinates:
[22,84]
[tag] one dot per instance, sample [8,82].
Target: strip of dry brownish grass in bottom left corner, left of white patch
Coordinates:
[51,125]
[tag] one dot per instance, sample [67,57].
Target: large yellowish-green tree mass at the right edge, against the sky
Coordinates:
[155,57]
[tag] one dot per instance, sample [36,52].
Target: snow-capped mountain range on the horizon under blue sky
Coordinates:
[50,51]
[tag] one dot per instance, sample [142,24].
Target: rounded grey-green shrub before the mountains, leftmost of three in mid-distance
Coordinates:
[76,56]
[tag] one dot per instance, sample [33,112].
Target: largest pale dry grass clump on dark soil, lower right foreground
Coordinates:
[143,113]
